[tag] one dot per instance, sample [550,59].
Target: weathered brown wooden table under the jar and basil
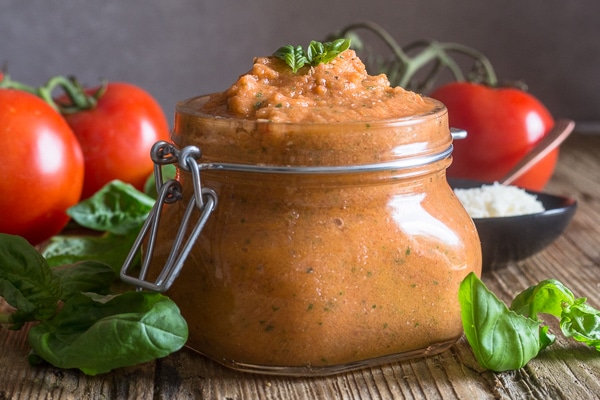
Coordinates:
[567,370]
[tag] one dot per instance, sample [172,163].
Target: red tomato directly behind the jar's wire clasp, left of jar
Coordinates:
[116,136]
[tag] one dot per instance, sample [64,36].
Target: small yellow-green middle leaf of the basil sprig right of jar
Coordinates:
[547,297]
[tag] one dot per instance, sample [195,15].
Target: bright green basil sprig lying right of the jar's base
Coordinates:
[504,338]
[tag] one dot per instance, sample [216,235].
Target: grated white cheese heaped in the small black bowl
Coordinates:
[497,200]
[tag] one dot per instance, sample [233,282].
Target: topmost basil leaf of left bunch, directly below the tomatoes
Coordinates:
[117,208]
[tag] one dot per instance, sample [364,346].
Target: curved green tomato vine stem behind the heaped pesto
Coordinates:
[404,69]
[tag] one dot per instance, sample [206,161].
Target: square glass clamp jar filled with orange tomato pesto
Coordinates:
[331,247]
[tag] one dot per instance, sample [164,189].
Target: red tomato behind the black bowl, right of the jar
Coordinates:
[502,125]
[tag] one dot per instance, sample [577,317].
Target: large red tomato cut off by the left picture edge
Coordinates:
[41,173]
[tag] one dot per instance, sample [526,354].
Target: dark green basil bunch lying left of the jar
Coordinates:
[81,321]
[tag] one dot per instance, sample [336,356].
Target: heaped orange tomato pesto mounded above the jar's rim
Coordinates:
[338,91]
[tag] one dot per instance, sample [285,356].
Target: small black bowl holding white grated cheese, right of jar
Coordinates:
[507,239]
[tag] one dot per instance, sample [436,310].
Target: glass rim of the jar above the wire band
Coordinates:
[287,146]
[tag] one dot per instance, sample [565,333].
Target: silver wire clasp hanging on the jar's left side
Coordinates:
[204,200]
